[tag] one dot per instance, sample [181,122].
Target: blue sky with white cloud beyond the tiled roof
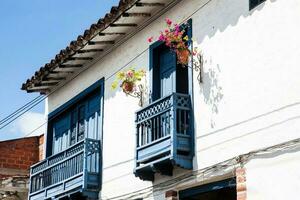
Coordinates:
[32,32]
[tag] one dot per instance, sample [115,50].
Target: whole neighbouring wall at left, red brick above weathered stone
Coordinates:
[16,157]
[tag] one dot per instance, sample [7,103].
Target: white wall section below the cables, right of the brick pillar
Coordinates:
[274,177]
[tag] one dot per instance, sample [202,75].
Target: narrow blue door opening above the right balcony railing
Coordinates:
[167,75]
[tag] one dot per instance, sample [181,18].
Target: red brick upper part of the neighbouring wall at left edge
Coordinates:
[19,153]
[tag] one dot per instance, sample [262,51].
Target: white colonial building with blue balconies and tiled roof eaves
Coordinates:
[225,128]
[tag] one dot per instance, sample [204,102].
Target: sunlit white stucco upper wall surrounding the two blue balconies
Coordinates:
[249,98]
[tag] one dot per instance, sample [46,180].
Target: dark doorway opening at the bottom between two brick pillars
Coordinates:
[221,190]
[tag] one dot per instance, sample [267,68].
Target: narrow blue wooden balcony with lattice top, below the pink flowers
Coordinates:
[164,136]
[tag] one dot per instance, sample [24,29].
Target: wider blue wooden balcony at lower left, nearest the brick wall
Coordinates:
[72,172]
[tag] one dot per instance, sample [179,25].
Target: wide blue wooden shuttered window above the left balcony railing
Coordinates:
[78,119]
